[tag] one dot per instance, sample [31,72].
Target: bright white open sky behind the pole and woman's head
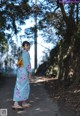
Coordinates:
[41,46]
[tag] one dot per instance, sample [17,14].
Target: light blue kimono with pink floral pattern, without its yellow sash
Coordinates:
[22,87]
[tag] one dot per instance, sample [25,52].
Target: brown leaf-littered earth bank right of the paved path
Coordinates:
[68,95]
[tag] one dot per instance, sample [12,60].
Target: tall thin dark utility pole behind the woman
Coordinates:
[35,34]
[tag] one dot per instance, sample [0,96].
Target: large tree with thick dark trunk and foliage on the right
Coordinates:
[64,18]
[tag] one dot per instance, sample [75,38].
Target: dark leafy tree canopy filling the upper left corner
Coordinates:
[12,14]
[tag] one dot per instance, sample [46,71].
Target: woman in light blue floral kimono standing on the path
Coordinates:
[22,87]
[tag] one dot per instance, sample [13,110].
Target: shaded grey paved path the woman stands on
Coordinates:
[42,103]
